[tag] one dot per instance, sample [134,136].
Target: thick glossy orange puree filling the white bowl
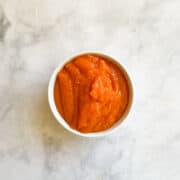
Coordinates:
[91,93]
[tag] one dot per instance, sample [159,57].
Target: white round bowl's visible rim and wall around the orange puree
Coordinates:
[60,119]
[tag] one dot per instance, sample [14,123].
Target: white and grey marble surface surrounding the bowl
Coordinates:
[35,35]
